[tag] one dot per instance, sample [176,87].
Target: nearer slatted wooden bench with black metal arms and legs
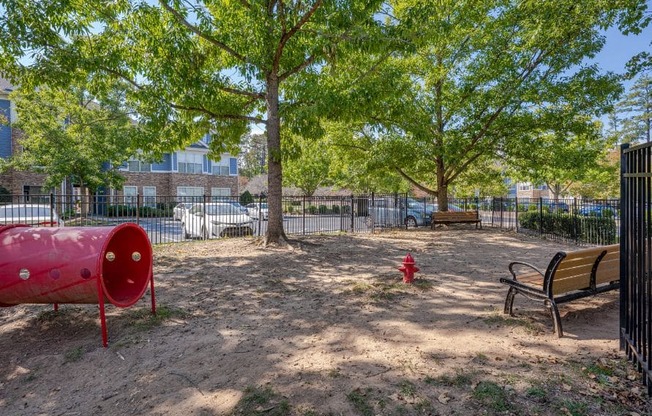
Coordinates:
[569,276]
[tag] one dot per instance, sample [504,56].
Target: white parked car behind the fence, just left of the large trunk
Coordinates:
[216,219]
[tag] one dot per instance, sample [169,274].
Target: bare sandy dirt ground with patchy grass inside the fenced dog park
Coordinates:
[325,328]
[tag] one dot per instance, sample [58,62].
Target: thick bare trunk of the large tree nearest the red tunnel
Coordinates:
[274,167]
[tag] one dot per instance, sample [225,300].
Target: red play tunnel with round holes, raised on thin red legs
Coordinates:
[75,265]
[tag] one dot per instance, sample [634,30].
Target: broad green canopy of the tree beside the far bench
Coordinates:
[479,78]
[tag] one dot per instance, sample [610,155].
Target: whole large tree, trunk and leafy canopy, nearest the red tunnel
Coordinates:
[194,67]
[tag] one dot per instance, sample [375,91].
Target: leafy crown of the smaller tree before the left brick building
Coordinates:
[68,134]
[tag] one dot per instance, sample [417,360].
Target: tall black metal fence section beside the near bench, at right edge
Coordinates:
[636,258]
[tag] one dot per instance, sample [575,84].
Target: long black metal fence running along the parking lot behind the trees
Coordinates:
[170,219]
